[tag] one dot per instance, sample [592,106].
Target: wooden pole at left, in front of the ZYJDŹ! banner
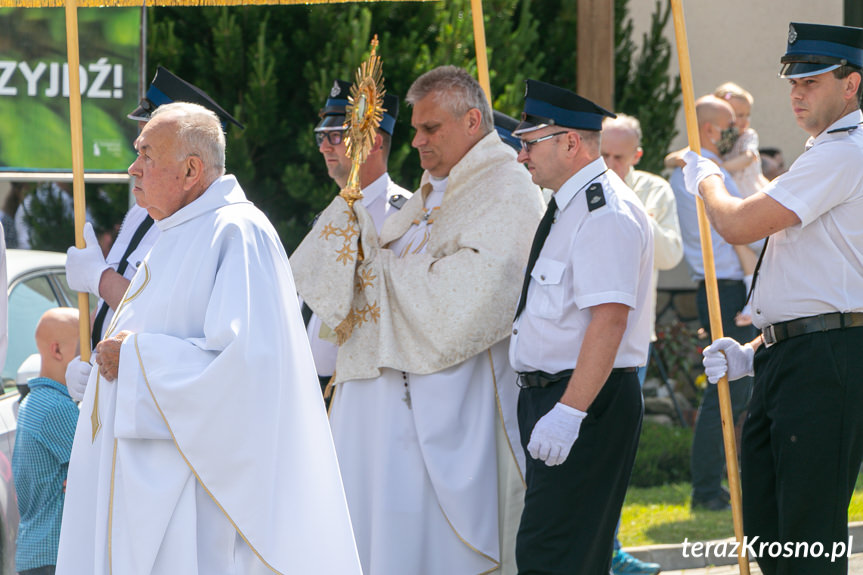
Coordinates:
[77,164]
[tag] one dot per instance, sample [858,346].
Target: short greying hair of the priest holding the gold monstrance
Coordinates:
[454,89]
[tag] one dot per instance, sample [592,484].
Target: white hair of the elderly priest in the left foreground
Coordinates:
[199,133]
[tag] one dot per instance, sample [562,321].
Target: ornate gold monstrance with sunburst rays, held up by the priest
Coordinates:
[364,113]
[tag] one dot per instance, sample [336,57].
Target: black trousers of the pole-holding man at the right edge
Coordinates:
[802,447]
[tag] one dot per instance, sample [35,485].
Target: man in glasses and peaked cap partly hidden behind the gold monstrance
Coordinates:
[381,195]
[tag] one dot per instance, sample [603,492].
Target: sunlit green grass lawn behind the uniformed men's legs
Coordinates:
[661,515]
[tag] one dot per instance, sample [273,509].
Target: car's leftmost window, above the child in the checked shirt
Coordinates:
[28,300]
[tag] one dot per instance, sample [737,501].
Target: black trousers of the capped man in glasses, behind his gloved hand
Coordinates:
[571,510]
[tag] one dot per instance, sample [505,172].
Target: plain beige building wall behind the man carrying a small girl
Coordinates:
[742,41]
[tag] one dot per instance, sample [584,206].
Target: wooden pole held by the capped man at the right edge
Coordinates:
[710,285]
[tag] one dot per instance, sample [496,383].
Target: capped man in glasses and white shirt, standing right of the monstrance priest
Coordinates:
[581,329]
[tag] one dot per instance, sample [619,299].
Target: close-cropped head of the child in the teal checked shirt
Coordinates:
[57,340]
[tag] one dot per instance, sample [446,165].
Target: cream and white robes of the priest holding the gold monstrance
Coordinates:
[424,413]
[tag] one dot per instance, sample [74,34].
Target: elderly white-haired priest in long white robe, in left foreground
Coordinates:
[203,445]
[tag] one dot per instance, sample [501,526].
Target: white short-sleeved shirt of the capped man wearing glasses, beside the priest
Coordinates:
[589,258]
